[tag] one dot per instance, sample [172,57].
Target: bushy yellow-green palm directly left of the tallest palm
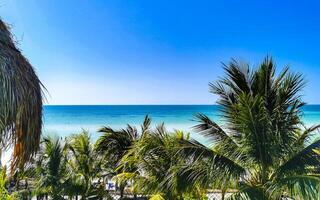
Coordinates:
[155,160]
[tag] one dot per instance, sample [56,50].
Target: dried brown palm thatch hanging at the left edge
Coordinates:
[20,101]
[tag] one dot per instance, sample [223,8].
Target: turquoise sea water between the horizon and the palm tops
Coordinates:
[66,120]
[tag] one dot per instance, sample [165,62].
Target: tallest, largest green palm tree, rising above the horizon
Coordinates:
[263,148]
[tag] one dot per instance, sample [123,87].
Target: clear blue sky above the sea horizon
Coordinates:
[159,52]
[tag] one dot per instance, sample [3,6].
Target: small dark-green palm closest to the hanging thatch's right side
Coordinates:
[51,168]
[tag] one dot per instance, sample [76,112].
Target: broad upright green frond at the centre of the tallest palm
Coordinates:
[251,121]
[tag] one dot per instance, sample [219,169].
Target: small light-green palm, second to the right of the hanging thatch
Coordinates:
[86,166]
